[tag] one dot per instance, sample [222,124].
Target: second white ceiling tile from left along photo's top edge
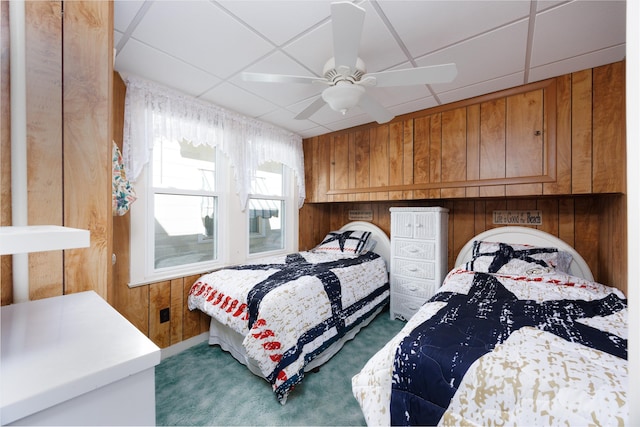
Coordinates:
[202,34]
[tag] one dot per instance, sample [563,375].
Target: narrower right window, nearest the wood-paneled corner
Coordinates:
[267,209]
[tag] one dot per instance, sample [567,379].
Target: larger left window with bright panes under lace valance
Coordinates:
[182,207]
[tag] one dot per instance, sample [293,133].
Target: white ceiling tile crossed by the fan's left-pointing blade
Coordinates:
[282,94]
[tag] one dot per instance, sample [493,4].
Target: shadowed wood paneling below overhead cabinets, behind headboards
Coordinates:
[594,225]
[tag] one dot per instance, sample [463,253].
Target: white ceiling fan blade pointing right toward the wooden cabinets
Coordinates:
[443,73]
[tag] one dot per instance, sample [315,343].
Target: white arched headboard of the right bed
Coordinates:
[529,236]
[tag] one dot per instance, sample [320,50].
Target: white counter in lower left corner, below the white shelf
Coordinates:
[75,360]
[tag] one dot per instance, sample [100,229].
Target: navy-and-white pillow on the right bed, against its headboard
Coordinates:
[503,258]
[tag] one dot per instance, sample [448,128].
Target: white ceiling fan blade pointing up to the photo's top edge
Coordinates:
[347,20]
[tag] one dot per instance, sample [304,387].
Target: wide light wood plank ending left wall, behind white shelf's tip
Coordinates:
[88,90]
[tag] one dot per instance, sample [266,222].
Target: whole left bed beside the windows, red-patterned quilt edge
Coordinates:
[285,315]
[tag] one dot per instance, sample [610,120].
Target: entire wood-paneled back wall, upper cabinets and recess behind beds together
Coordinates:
[472,157]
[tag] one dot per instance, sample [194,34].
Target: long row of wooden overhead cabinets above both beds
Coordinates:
[562,136]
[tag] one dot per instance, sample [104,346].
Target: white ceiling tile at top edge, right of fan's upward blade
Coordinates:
[427,26]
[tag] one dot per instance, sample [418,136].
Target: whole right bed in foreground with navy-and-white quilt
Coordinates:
[516,335]
